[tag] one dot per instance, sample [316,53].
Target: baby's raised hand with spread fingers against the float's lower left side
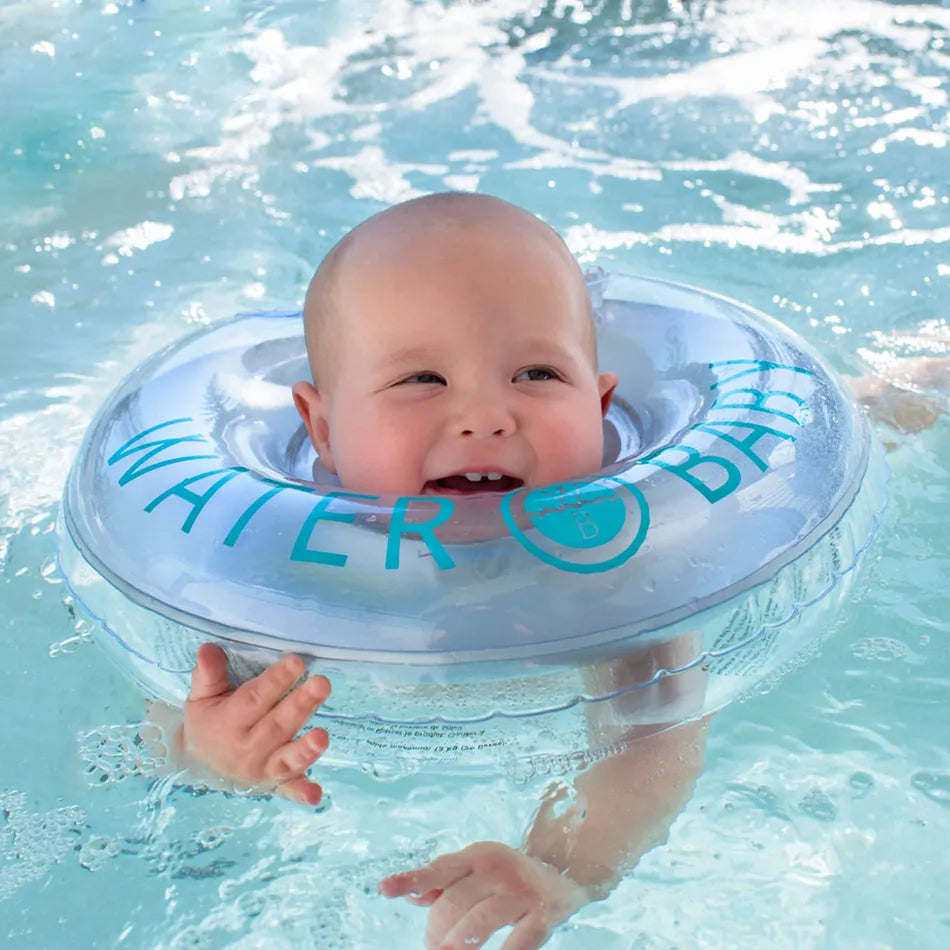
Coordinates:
[247,733]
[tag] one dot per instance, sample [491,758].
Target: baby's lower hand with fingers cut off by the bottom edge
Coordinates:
[483,888]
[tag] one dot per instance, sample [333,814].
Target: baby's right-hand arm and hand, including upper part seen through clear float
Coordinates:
[576,852]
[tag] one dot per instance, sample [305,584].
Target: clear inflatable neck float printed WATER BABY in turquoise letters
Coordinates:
[740,486]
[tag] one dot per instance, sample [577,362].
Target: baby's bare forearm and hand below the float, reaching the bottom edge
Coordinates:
[624,806]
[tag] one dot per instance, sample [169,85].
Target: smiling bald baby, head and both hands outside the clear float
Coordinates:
[452,348]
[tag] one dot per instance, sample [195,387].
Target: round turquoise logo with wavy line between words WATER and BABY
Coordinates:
[587,526]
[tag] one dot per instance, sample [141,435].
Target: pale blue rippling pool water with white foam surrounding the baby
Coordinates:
[166,163]
